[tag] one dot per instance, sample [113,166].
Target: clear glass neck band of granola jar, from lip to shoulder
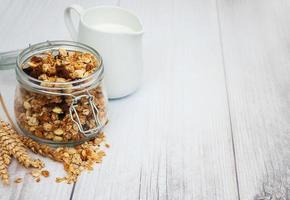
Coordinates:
[57,88]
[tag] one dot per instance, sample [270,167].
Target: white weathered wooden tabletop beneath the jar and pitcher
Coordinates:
[211,120]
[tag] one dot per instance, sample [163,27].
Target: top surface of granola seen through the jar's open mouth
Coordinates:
[61,65]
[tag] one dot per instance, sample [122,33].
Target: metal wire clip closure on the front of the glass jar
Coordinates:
[95,112]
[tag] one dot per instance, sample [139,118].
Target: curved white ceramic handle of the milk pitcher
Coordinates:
[68,19]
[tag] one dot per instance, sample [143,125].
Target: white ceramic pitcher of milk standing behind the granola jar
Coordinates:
[116,34]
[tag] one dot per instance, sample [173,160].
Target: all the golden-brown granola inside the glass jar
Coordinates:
[48,116]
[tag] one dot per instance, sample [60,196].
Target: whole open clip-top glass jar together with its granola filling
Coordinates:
[60,97]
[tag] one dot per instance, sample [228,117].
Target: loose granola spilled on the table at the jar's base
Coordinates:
[75,160]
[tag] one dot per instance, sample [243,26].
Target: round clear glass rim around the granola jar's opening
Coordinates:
[44,46]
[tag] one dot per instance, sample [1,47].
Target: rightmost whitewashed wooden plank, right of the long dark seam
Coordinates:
[256,40]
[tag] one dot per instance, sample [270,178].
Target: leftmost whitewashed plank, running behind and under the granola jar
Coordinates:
[21,23]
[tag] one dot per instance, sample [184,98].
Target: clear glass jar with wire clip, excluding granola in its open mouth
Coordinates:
[60,113]
